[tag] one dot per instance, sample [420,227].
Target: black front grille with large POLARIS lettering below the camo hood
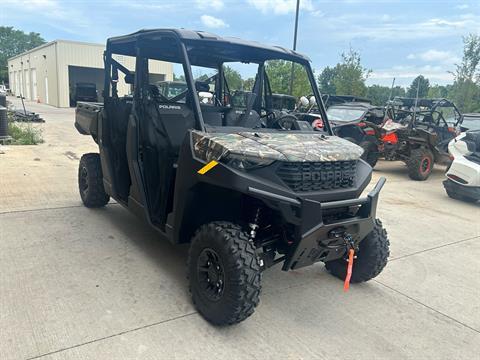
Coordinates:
[316,176]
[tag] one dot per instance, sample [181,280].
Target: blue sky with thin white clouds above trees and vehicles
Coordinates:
[400,39]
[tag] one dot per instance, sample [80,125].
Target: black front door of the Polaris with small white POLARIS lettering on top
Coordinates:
[162,126]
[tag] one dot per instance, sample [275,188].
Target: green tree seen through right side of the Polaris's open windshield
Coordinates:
[279,74]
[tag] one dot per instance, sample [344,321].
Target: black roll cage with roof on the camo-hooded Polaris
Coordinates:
[136,45]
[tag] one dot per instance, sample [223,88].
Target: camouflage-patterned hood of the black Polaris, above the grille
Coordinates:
[287,146]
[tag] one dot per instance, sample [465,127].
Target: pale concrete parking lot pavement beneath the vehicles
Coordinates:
[77,283]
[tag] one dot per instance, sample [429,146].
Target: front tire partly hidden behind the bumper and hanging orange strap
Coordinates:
[372,256]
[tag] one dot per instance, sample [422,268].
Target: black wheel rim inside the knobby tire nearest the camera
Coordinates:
[211,275]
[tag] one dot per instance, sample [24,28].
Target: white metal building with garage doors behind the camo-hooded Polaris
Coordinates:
[48,73]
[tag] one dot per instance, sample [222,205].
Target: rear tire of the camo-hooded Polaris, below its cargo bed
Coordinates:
[90,181]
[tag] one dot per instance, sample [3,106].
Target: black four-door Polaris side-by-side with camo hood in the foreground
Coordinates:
[248,187]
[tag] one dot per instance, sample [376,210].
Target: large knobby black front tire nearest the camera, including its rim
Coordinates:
[224,273]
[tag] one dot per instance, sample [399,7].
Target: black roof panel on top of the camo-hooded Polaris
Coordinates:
[204,49]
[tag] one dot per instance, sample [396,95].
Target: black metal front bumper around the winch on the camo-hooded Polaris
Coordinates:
[315,241]
